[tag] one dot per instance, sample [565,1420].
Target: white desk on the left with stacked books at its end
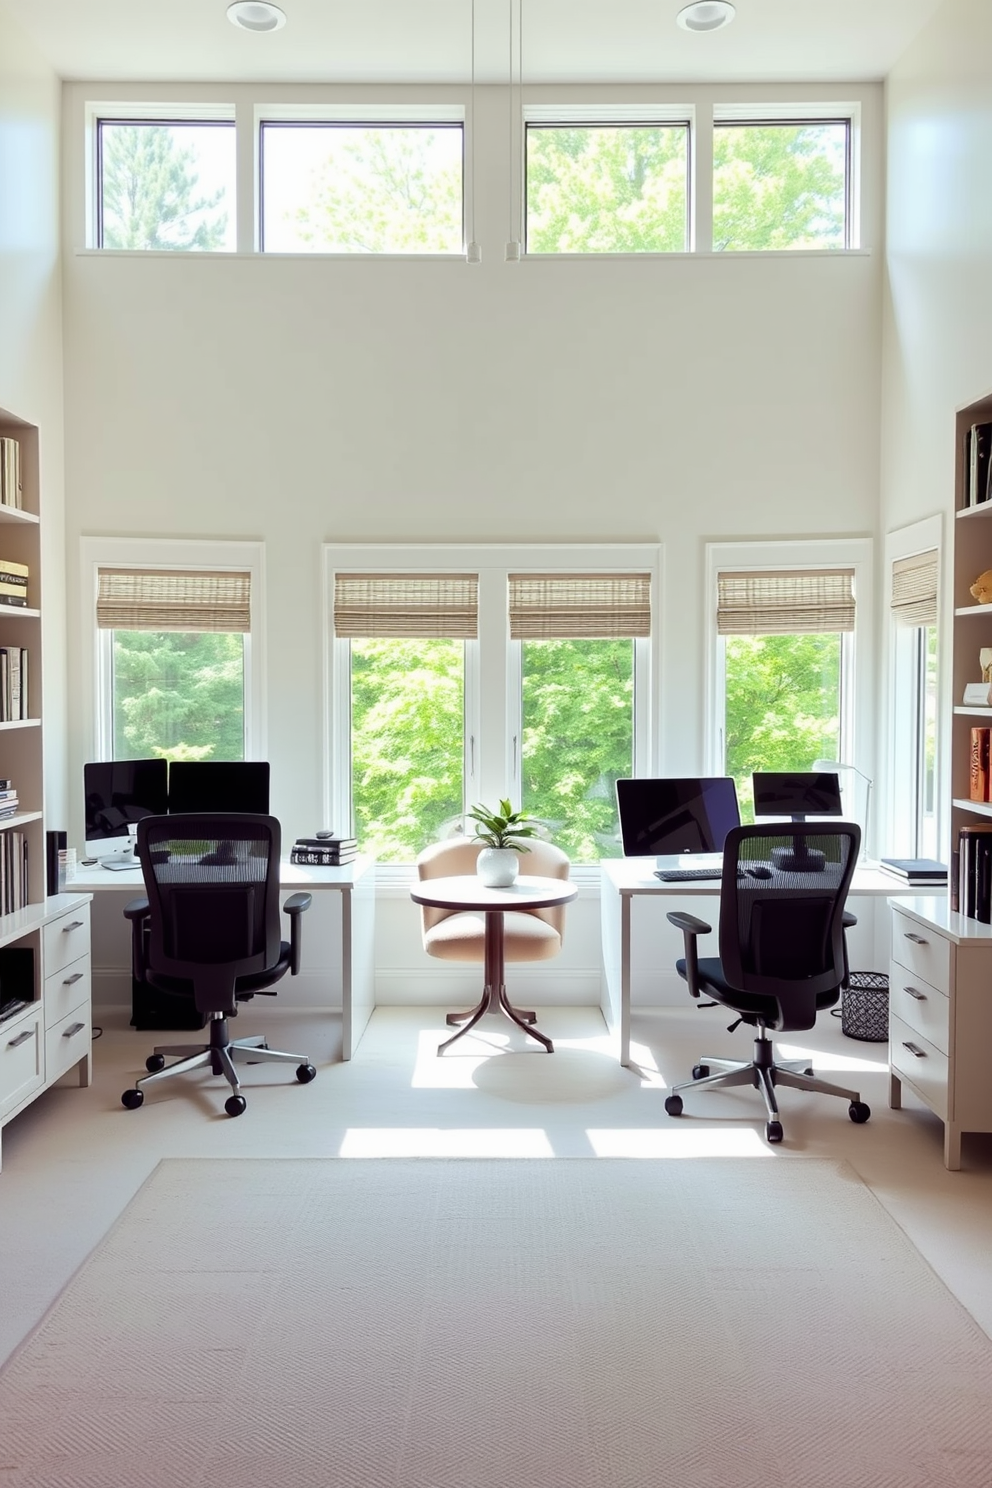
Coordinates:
[355,895]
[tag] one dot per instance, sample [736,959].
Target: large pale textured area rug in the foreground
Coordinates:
[759,1324]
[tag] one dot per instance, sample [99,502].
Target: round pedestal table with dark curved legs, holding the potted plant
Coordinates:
[468,894]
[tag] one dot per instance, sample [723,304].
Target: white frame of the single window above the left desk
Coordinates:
[97,647]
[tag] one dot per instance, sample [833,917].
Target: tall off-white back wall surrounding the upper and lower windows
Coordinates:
[300,401]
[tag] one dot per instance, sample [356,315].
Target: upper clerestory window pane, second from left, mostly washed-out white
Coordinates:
[335,188]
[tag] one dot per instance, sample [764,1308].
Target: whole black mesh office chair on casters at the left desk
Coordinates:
[210,931]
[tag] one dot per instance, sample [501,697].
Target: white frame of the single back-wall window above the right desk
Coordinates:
[856,746]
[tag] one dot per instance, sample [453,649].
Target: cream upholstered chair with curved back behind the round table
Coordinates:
[530,935]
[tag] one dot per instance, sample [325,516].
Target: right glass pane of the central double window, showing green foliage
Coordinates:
[578,740]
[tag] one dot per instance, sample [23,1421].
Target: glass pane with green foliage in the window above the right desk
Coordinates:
[783,706]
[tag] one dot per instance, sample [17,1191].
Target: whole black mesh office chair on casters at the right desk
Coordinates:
[782,952]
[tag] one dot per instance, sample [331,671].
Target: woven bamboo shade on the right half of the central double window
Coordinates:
[570,606]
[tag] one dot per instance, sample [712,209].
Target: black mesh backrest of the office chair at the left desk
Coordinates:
[213,888]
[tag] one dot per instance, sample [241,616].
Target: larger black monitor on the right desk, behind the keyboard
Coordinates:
[674,818]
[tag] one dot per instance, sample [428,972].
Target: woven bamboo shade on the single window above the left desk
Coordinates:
[173,600]
